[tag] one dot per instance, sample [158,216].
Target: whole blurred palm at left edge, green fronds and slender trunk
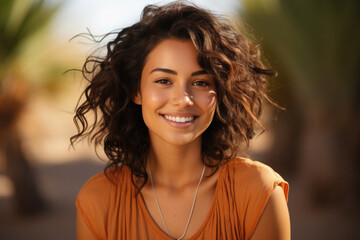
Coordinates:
[21,22]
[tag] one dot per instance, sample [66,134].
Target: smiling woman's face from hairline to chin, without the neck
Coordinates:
[177,96]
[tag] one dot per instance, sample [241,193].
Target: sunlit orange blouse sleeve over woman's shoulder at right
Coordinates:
[257,181]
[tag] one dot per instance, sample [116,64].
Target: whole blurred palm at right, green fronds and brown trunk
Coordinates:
[315,47]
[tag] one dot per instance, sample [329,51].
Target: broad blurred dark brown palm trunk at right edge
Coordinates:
[329,168]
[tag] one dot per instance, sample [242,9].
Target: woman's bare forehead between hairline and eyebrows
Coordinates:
[178,55]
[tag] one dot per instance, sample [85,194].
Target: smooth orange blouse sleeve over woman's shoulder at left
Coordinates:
[92,204]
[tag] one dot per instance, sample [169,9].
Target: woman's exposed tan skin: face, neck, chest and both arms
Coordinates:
[174,85]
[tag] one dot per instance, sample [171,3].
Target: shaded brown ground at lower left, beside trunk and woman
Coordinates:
[59,185]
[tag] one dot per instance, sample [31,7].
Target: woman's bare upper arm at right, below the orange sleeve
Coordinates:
[274,222]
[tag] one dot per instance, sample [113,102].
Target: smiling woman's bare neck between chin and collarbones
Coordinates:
[176,166]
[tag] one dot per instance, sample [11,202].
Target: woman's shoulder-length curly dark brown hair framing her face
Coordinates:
[225,53]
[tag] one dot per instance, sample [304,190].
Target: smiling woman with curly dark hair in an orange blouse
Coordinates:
[175,100]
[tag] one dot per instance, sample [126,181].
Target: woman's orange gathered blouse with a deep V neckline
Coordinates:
[113,211]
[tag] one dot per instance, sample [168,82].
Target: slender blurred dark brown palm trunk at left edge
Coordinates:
[28,199]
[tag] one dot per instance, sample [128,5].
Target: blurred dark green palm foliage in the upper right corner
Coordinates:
[316,42]
